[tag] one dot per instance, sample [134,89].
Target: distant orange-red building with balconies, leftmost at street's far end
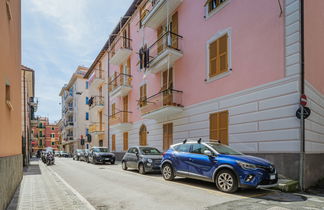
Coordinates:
[39,133]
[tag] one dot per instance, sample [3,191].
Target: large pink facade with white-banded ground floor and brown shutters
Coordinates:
[218,70]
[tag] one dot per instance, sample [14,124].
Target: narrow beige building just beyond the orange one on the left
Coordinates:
[29,107]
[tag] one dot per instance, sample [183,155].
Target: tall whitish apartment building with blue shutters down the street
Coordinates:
[75,113]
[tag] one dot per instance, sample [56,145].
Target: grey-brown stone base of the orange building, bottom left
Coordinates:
[11,171]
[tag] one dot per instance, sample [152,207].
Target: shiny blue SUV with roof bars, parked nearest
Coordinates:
[217,163]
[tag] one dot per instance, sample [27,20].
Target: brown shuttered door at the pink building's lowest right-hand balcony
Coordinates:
[167,85]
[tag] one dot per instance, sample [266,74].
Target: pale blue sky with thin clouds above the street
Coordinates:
[58,36]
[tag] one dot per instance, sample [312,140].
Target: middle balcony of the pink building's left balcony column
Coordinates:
[120,85]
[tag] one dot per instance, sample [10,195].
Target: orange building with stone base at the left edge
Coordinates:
[11,159]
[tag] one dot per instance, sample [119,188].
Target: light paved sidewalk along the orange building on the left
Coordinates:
[41,188]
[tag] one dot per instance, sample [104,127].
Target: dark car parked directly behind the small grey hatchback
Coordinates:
[101,155]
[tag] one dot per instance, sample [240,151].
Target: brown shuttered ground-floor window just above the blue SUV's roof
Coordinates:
[218,125]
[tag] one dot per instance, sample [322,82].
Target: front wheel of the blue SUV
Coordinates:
[226,181]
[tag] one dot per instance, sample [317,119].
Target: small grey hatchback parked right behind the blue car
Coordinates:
[144,159]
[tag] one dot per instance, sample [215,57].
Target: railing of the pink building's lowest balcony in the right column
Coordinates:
[164,99]
